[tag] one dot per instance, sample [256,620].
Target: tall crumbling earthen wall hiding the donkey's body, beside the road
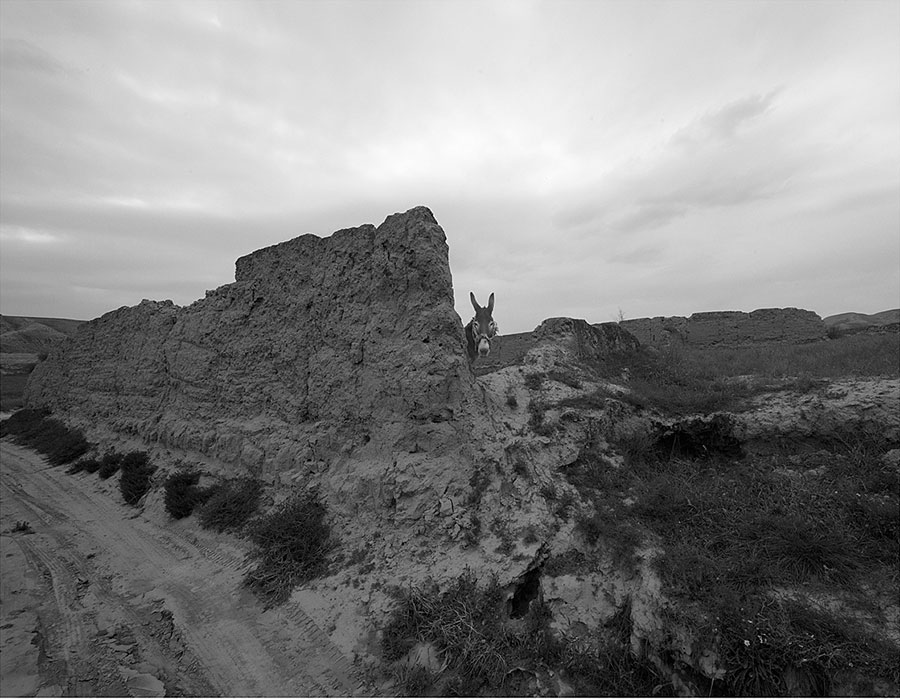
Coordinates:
[320,344]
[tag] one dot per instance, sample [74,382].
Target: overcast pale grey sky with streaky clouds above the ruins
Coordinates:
[584,158]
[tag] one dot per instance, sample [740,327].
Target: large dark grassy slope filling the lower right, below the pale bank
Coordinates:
[733,530]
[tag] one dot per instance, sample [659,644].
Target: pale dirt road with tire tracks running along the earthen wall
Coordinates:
[98,600]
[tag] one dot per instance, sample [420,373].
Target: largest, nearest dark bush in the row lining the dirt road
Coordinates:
[293,542]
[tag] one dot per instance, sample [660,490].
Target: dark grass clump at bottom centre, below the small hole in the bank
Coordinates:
[488,654]
